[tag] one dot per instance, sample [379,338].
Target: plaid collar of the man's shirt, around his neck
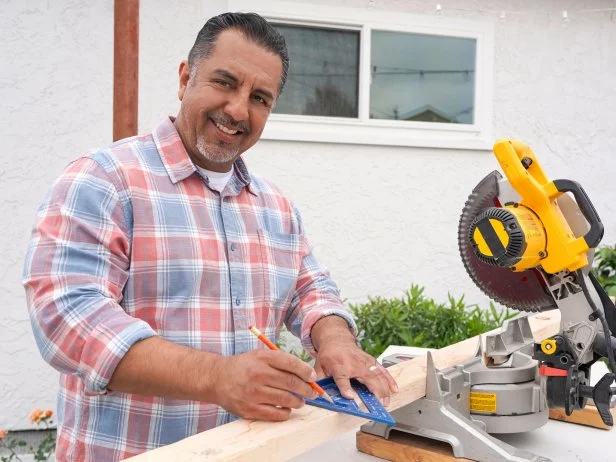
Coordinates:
[178,163]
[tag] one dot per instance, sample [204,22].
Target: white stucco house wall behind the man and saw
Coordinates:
[380,217]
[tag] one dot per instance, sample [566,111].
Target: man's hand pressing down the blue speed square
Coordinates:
[339,357]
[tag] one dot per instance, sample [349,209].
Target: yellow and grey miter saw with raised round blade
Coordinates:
[528,243]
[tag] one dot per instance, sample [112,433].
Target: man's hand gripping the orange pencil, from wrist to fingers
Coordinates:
[260,384]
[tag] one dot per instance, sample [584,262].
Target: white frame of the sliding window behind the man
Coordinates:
[363,130]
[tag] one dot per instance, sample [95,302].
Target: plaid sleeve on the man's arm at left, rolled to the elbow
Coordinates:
[75,270]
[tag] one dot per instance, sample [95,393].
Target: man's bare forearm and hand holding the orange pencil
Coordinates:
[254,385]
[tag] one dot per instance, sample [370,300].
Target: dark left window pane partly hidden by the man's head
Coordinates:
[323,72]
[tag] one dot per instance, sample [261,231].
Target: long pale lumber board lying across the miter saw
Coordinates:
[248,440]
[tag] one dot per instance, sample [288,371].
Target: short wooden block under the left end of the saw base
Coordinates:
[405,448]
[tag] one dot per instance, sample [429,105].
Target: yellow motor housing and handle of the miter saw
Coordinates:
[533,231]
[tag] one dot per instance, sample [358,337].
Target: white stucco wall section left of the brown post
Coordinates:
[56,93]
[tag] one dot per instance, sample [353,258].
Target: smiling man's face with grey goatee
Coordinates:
[226,100]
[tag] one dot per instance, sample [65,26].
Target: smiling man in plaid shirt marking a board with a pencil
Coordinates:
[151,258]
